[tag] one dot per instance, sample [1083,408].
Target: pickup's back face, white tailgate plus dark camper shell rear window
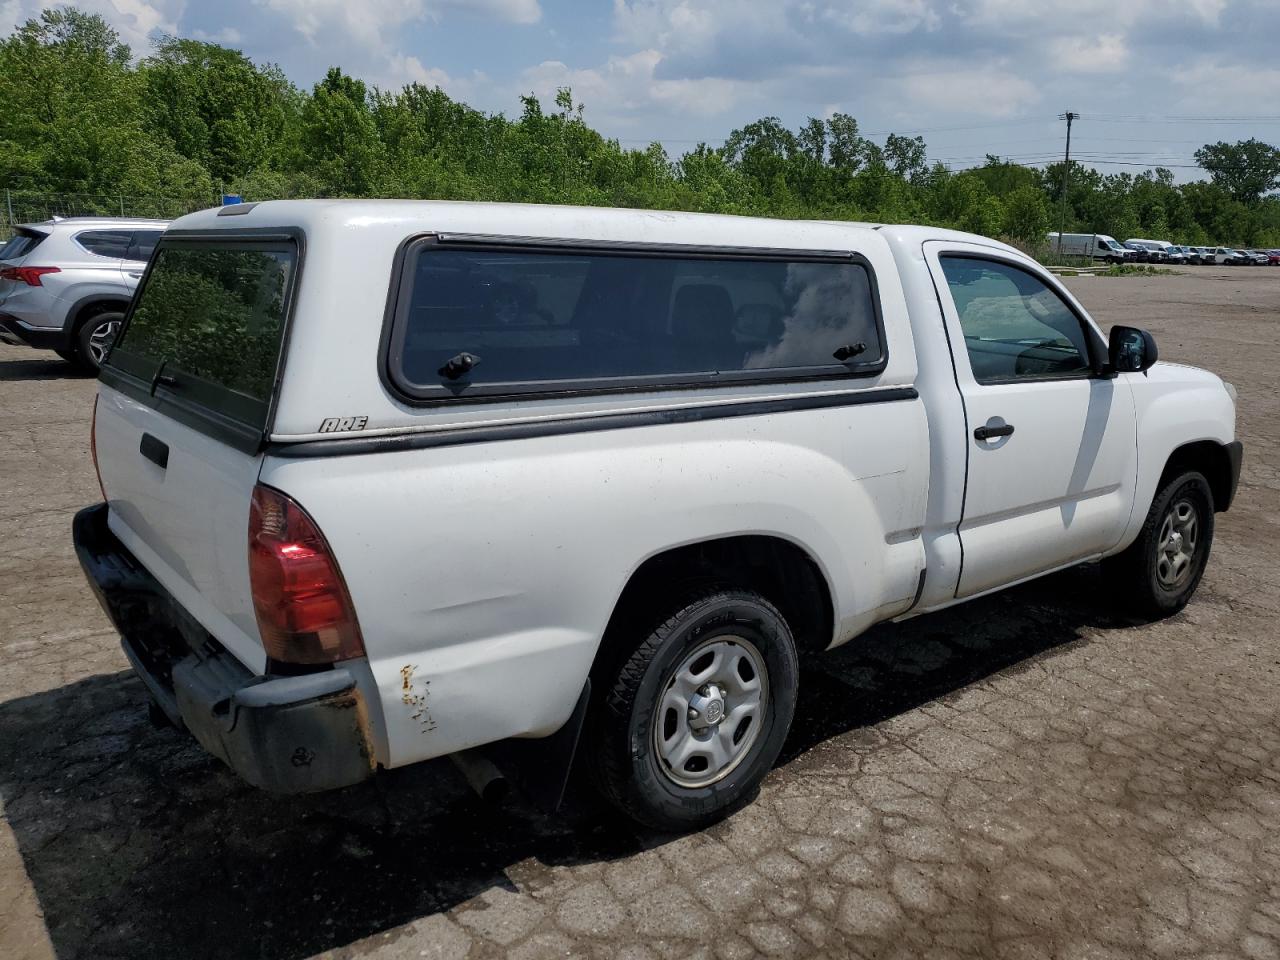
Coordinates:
[182,413]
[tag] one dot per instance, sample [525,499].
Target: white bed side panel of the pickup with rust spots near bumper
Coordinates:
[484,574]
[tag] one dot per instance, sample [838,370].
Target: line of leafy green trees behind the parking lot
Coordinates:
[84,116]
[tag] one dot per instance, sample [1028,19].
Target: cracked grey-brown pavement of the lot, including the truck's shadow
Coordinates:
[1026,776]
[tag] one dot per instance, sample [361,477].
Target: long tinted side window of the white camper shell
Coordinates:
[492,319]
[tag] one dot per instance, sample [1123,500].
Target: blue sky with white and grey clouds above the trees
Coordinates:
[1151,79]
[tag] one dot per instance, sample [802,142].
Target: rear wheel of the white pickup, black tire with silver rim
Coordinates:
[625,735]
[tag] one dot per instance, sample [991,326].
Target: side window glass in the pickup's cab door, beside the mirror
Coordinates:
[1016,327]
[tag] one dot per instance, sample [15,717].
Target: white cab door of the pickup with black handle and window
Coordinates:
[1053,455]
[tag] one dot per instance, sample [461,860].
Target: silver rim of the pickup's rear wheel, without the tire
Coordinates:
[711,712]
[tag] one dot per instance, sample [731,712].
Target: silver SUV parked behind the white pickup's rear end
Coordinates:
[66,285]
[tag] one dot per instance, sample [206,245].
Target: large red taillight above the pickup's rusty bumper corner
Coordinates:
[301,601]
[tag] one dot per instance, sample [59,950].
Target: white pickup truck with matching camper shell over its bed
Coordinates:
[391,481]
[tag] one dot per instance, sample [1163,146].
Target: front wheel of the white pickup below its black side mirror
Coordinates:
[1145,580]
